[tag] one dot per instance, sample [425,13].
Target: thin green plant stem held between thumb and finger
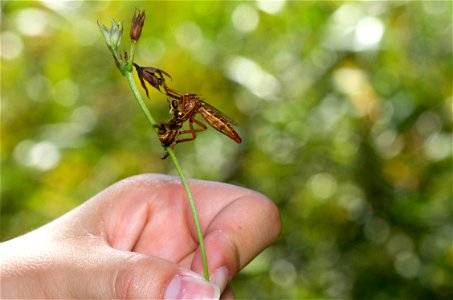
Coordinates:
[141,103]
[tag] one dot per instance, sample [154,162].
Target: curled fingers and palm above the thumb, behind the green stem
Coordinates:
[150,214]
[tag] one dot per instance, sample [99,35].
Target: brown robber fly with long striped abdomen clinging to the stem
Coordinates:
[186,107]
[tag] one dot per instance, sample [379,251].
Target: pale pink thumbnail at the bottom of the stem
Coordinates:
[184,286]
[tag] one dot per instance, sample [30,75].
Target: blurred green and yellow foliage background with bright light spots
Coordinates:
[344,108]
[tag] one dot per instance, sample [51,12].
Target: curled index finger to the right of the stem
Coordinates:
[238,232]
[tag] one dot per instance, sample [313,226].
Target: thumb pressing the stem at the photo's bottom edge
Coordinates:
[121,274]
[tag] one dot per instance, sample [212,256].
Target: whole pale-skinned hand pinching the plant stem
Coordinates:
[137,239]
